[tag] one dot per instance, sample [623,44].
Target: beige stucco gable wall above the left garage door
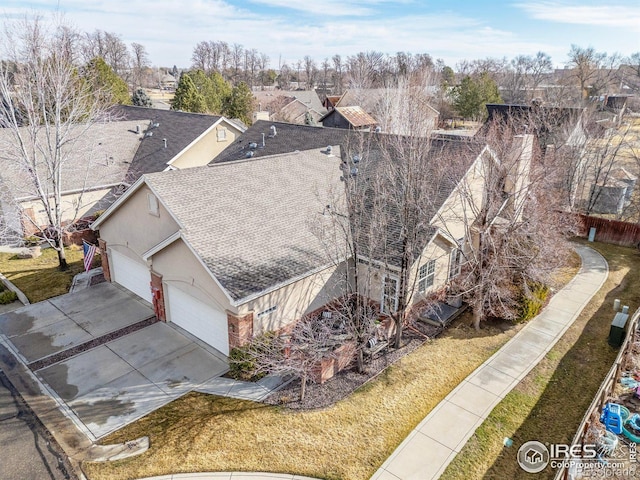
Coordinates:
[132,230]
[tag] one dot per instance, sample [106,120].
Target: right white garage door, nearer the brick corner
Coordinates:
[204,321]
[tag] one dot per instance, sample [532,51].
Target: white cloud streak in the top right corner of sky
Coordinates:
[620,16]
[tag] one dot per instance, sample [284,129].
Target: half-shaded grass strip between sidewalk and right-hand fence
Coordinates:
[548,405]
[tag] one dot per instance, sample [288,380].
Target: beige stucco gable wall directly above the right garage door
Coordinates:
[181,269]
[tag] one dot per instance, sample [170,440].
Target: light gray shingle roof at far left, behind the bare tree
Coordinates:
[101,155]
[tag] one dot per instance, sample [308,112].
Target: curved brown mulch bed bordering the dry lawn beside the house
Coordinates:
[348,380]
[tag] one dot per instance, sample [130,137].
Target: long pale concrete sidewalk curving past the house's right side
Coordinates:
[432,445]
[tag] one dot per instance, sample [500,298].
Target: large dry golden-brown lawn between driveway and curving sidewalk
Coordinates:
[349,440]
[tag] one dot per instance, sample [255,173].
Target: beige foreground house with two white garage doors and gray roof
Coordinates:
[239,247]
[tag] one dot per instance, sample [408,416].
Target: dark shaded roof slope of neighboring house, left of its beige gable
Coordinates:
[179,128]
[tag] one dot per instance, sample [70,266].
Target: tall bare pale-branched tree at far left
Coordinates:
[45,110]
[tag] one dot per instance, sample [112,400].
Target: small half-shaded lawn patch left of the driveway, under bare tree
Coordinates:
[39,278]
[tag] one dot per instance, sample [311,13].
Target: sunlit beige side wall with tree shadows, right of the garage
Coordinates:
[297,299]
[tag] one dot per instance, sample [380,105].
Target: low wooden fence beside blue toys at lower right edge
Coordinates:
[606,389]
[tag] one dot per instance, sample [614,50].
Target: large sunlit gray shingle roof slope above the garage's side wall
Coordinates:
[252,222]
